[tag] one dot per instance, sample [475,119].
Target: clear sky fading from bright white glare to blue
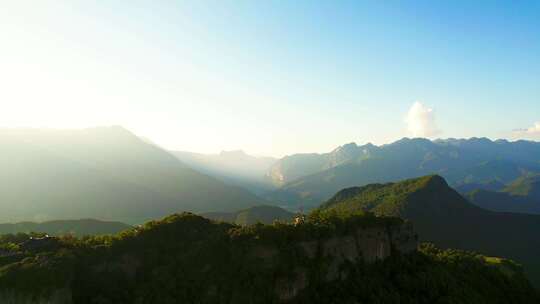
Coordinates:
[273,77]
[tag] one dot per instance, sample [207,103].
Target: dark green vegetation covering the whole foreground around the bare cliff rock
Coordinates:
[189,259]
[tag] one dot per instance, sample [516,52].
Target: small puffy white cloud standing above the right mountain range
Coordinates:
[421,121]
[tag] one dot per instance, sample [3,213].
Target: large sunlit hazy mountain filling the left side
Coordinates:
[103,173]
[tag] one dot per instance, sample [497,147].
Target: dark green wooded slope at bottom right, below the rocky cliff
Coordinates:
[431,275]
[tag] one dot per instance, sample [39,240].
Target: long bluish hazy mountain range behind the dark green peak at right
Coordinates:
[464,163]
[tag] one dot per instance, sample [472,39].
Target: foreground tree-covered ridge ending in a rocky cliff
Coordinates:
[224,263]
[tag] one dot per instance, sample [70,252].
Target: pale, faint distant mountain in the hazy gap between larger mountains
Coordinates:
[232,167]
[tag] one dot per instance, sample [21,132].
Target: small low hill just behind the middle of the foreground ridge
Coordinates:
[253,215]
